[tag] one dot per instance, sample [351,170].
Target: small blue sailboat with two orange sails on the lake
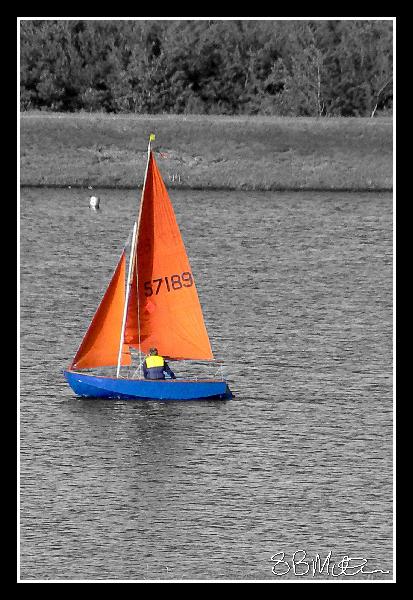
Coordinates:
[155,305]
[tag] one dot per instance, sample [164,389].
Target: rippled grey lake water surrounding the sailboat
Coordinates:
[297,296]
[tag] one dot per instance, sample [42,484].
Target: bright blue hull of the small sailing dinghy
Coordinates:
[90,386]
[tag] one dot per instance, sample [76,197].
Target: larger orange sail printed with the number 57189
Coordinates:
[163,306]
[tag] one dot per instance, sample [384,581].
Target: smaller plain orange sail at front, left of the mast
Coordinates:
[100,346]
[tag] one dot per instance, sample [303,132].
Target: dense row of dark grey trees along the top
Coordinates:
[208,67]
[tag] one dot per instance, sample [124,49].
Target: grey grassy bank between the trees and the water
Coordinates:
[250,153]
